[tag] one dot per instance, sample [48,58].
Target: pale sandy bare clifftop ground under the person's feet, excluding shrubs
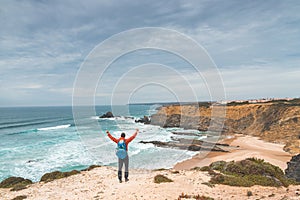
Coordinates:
[101,183]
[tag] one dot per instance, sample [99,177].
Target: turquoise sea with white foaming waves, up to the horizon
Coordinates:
[37,140]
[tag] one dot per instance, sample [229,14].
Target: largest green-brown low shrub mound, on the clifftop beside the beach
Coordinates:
[248,172]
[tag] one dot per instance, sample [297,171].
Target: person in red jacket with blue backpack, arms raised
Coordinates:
[123,159]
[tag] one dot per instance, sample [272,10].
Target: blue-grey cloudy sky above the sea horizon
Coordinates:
[43,44]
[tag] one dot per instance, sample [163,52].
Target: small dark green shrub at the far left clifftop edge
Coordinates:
[16,183]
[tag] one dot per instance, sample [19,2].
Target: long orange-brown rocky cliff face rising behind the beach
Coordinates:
[277,121]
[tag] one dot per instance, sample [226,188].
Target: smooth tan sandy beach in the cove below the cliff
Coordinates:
[246,147]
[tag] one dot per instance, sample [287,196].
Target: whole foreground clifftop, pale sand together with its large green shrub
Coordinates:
[219,180]
